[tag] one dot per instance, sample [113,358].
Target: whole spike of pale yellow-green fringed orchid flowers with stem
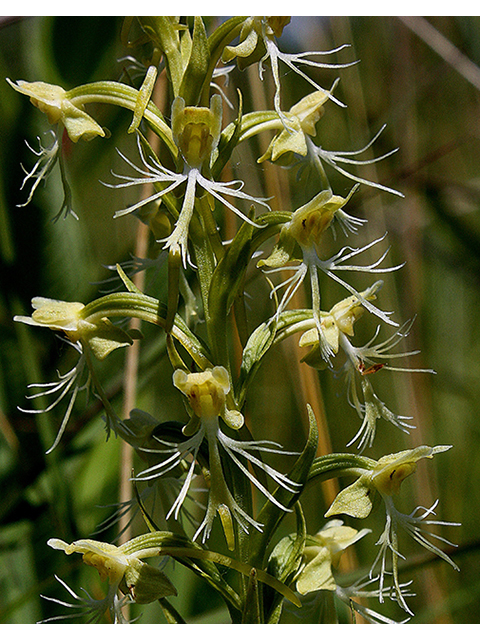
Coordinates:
[207,463]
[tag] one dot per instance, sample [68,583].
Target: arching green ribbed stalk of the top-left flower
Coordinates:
[121,95]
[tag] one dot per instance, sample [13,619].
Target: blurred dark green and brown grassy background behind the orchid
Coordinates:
[424,84]
